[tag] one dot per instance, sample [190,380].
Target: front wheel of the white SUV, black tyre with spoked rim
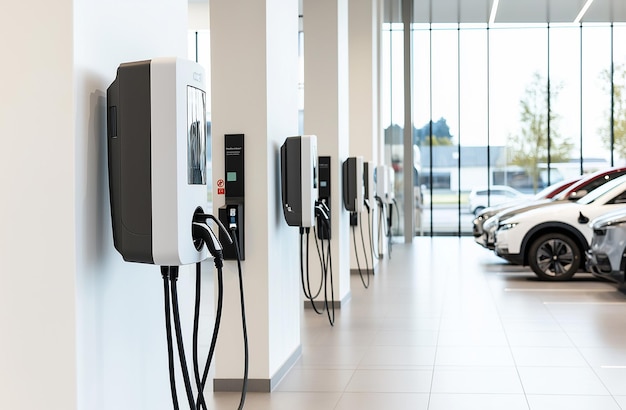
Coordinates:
[554,257]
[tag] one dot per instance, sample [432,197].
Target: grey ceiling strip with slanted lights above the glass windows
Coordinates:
[509,11]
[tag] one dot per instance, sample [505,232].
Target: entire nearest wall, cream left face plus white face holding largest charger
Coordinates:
[80,328]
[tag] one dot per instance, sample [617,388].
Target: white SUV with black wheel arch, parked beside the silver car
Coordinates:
[553,240]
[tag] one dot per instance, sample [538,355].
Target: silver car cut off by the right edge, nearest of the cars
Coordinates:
[606,255]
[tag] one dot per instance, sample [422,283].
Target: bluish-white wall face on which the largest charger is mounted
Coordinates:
[122,356]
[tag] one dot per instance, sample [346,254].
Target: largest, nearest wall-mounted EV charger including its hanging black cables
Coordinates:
[156,137]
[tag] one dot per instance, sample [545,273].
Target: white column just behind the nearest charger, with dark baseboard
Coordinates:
[254,57]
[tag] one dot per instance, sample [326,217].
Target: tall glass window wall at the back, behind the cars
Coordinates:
[518,105]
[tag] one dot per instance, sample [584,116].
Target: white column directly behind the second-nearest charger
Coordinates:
[326,114]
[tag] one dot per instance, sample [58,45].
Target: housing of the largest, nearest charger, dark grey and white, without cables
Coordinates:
[157,159]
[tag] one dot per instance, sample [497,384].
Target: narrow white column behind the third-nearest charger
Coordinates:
[364,32]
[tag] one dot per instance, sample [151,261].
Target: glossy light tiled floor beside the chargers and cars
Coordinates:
[447,325]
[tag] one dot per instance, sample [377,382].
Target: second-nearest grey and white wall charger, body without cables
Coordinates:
[299,180]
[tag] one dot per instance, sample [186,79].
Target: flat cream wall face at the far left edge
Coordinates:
[37,242]
